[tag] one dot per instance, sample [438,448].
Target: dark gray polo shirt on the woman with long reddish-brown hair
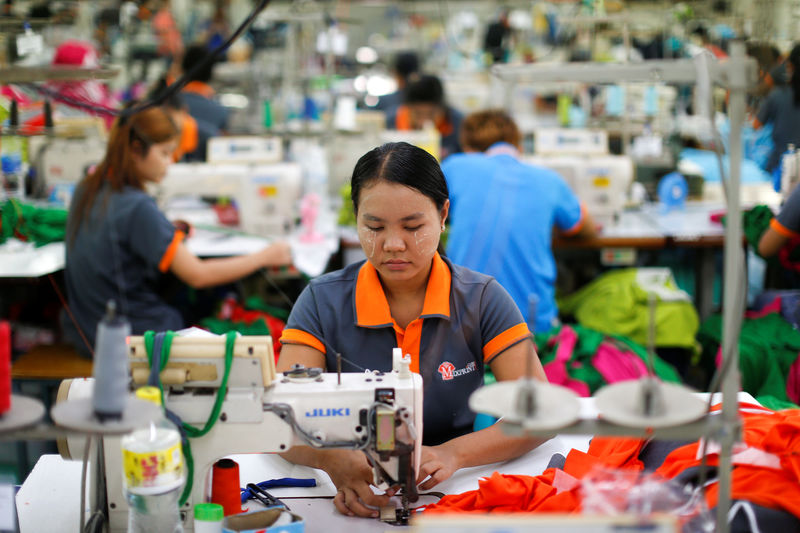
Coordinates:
[120,252]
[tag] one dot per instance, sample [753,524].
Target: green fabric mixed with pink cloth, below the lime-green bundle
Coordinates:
[580,364]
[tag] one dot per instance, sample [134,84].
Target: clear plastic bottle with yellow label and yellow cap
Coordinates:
[153,473]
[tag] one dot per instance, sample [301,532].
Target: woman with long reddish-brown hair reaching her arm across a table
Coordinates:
[120,245]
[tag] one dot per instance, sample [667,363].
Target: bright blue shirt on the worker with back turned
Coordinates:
[502,213]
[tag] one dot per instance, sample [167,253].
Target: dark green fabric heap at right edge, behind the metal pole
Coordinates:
[767,348]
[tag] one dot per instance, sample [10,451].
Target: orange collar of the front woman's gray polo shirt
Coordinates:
[372,308]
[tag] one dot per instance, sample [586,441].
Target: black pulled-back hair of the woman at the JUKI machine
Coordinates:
[401,163]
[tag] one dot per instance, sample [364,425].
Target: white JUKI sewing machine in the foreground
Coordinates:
[378,413]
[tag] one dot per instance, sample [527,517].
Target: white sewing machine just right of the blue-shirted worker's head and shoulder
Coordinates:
[581,157]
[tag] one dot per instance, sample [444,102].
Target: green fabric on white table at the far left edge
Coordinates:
[40,225]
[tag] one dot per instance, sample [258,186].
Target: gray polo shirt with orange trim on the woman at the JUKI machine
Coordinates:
[467,320]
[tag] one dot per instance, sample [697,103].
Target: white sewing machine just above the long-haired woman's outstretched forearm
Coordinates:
[265,195]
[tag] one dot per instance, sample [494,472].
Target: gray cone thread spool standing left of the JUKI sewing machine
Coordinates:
[111,367]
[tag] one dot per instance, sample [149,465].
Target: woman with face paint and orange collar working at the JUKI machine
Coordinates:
[453,322]
